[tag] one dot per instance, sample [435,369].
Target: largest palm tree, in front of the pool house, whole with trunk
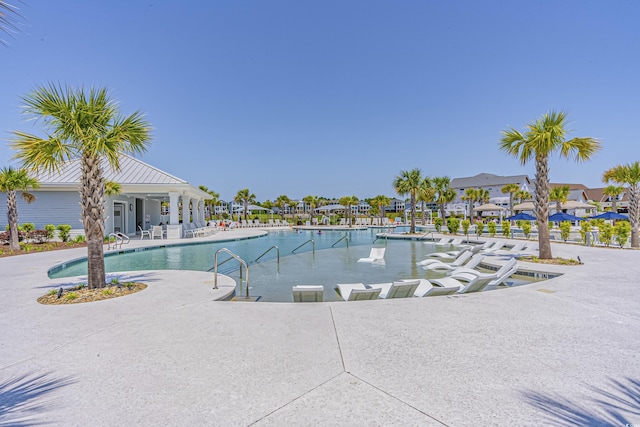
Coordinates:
[92,129]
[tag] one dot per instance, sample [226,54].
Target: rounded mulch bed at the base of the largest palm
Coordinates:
[80,294]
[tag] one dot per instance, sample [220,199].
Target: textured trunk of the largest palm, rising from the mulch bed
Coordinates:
[92,203]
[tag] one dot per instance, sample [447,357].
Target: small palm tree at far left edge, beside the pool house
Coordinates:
[12,180]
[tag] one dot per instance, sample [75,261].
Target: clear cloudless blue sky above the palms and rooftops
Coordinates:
[335,98]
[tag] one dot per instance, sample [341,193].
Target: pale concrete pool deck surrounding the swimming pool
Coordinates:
[561,352]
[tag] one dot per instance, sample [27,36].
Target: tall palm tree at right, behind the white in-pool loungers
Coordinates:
[544,137]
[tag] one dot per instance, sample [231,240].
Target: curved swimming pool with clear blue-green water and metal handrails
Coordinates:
[272,280]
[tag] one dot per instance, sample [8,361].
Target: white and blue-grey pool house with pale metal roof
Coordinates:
[143,188]
